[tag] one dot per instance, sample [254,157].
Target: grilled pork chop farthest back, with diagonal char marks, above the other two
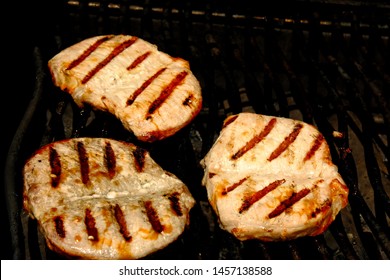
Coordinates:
[153,94]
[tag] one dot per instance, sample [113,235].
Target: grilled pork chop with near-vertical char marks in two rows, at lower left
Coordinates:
[97,198]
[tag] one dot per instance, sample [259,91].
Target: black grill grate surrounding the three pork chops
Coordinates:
[322,62]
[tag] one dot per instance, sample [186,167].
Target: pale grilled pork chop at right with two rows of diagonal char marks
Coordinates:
[272,179]
